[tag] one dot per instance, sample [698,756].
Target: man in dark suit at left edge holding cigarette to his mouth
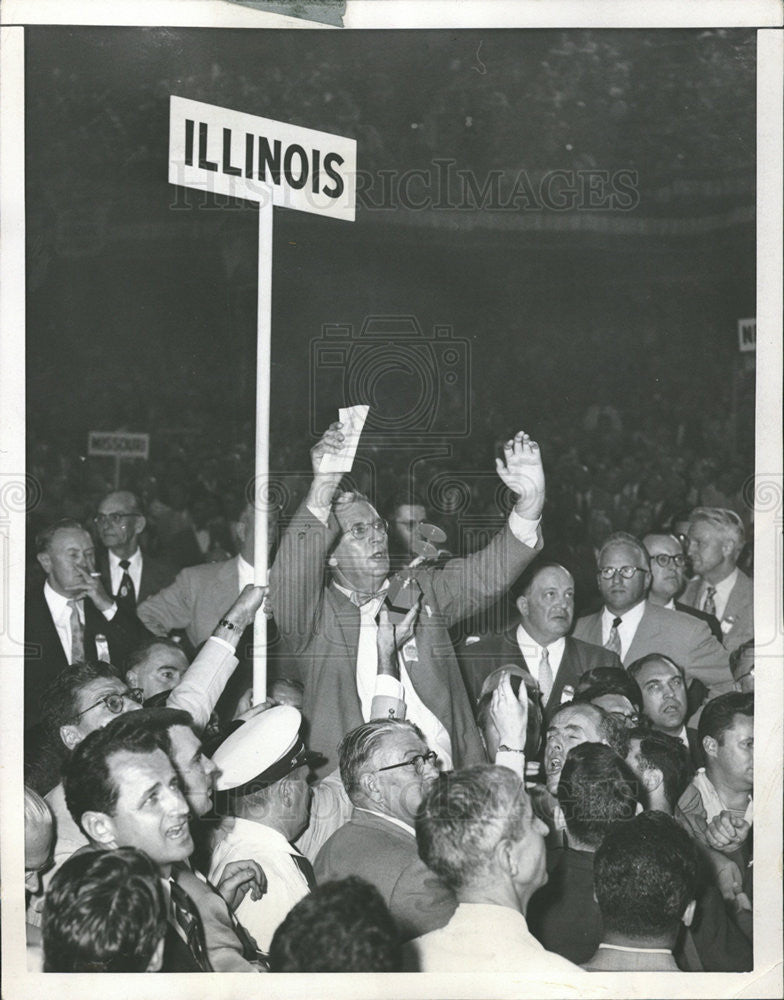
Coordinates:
[63,618]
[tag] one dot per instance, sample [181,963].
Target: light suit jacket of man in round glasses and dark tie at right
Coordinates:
[682,637]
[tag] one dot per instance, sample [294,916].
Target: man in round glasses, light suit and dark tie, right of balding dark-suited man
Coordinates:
[633,626]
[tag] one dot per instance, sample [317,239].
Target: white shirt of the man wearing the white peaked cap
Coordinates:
[286,885]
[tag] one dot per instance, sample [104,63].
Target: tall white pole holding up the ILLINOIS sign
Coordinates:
[261,485]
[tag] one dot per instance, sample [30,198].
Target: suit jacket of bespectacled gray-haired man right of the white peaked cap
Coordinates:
[385,855]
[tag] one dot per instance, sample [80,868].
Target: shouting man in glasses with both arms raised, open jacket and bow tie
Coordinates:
[330,632]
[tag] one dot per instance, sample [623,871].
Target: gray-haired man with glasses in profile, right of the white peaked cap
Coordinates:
[386,768]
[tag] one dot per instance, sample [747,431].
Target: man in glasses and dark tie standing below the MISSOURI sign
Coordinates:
[127,572]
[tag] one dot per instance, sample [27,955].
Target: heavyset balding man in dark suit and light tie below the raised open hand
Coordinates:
[539,643]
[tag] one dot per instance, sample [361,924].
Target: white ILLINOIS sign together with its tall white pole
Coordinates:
[221,151]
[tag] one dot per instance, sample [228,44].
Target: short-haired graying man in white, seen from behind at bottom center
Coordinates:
[477,831]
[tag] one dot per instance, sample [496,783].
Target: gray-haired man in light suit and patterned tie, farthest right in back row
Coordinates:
[716,538]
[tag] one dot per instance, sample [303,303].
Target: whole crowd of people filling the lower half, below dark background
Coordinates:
[567,790]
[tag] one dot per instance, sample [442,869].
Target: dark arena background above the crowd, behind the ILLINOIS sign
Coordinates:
[555,231]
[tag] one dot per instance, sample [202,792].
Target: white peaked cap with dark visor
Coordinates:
[261,751]
